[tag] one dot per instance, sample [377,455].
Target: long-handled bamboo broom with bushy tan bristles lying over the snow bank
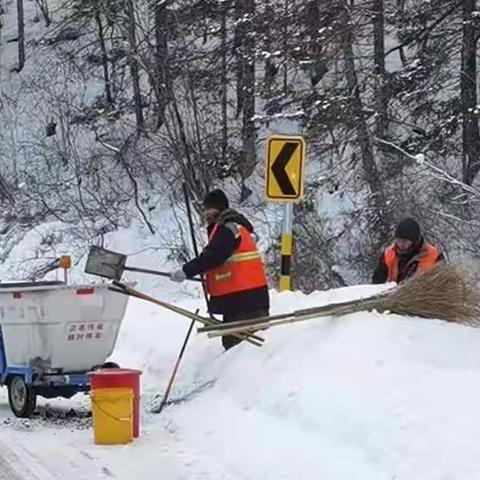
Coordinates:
[446,292]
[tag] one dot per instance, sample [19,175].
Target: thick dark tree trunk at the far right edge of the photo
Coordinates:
[468,85]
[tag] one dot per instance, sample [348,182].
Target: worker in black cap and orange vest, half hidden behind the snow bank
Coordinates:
[408,254]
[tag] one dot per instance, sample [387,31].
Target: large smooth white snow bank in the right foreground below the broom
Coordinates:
[366,396]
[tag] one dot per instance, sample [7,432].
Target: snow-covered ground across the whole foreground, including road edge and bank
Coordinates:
[363,397]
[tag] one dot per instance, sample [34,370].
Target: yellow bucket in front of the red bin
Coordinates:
[112,410]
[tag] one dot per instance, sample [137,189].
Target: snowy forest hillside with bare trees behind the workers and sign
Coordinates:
[108,106]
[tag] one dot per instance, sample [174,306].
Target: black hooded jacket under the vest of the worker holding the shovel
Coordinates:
[219,249]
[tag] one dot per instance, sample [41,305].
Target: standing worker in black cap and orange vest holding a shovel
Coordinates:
[235,275]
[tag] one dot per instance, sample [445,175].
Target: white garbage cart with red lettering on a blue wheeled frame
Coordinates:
[51,335]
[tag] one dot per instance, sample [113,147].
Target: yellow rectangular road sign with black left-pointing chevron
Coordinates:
[284,169]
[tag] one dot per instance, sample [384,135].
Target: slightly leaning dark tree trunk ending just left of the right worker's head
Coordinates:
[381,213]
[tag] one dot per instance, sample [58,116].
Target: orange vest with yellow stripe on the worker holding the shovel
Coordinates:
[242,271]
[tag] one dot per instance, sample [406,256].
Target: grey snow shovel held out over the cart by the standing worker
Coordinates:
[108,264]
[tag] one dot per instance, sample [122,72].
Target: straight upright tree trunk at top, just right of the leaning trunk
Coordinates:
[381,98]
